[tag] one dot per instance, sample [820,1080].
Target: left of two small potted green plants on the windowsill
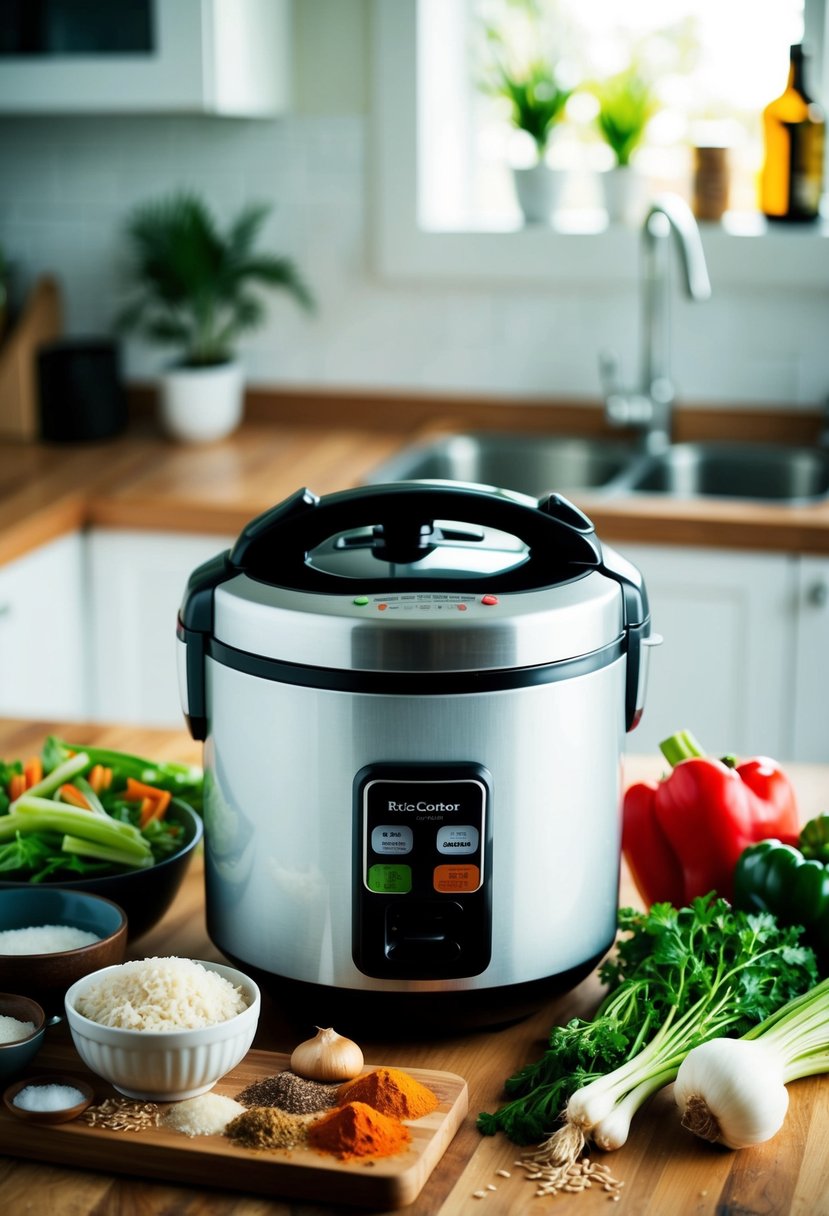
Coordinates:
[537,98]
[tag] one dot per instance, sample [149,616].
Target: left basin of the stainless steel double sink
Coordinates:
[531,464]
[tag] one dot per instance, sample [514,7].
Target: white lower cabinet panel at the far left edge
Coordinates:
[43,643]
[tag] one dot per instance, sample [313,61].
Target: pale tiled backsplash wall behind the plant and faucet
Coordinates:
[67,185]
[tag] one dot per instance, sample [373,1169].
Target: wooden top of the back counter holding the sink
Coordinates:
[142,481]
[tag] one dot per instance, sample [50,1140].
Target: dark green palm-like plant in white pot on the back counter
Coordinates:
[195,290]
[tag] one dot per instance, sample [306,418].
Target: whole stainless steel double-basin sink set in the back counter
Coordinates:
[606,469]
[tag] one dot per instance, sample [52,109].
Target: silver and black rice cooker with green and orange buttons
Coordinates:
[414,700]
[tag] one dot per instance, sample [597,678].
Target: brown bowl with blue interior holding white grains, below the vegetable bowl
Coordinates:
[52,937]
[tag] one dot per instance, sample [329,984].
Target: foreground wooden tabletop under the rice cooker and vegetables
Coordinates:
[667,1173]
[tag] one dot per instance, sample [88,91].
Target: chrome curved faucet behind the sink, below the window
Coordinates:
[650,408]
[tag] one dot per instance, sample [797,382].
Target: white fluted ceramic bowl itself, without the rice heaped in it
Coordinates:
[165,1066]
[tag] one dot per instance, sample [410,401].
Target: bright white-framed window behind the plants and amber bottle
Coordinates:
[445,199]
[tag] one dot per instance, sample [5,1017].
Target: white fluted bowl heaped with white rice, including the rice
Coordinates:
[163,1029]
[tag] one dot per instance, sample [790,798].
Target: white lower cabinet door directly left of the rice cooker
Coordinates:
[138,583]
